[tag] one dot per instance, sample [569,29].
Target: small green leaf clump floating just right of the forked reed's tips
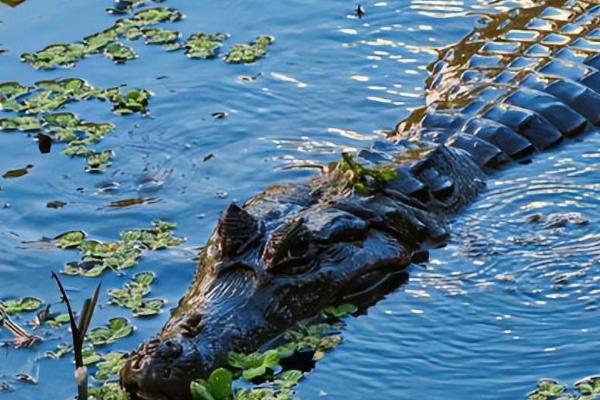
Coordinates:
[132,295]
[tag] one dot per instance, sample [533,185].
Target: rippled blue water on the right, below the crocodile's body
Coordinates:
[512,298]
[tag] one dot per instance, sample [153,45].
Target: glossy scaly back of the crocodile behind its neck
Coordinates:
[524,82]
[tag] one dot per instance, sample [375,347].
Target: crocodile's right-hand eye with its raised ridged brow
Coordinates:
[290,250]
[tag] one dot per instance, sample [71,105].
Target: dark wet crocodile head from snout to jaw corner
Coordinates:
[266,266]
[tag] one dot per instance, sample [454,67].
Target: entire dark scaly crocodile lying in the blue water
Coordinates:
[525,81]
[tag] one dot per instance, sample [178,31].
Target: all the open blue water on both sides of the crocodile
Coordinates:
[485,319]
